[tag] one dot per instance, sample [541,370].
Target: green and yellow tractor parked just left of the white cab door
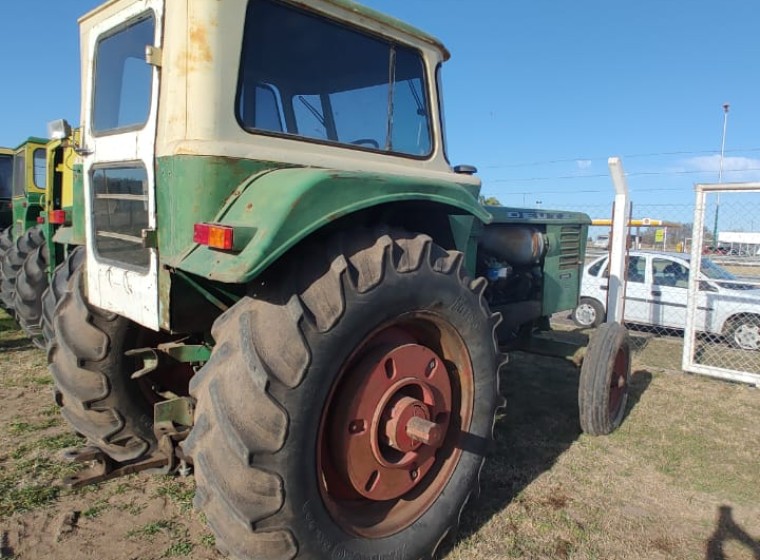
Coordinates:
[43,248]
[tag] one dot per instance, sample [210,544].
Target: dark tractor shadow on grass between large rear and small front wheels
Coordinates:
[539,424]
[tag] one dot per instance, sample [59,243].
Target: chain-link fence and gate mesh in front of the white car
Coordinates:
[661,243]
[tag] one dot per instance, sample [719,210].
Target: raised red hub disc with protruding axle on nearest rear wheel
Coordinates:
[395,414]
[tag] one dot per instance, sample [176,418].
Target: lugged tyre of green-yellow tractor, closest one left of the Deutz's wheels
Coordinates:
[31,283]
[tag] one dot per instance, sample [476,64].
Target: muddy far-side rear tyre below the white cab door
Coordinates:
[92,376]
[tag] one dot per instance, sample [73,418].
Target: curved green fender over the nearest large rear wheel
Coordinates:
[272,211]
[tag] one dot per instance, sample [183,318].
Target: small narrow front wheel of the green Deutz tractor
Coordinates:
[605,379]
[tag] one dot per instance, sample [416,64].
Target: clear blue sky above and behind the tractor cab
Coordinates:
[538,93]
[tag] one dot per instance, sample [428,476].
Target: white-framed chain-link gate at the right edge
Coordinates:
[722,335]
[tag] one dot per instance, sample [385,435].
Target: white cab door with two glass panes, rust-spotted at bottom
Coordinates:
[119,121]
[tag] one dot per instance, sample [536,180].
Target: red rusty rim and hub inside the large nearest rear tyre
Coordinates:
[389,433]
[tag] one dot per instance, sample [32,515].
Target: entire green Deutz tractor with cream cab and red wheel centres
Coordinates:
[288,290]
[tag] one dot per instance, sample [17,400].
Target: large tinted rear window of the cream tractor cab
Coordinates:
[307,76]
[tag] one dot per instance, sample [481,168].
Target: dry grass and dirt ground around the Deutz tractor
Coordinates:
[680,479]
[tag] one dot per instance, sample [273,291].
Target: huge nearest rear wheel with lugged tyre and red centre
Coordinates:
[348,404]
